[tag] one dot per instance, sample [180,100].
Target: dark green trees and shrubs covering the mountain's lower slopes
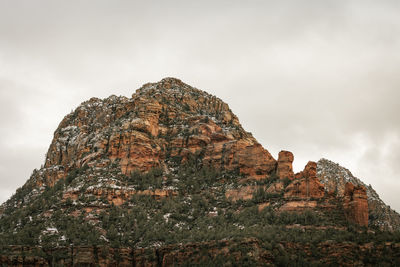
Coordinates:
[199,213]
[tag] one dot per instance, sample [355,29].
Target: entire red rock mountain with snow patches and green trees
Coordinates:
[169,177]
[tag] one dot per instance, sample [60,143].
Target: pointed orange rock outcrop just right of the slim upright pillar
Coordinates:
[306,184]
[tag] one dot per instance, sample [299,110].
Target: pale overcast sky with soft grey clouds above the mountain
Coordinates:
[318,78]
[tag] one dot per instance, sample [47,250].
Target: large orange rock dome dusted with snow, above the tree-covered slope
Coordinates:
[163,119]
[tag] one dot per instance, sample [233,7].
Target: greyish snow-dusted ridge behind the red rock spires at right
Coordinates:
[335,177]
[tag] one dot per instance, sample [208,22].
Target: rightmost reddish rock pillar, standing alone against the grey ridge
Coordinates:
[355,204]
